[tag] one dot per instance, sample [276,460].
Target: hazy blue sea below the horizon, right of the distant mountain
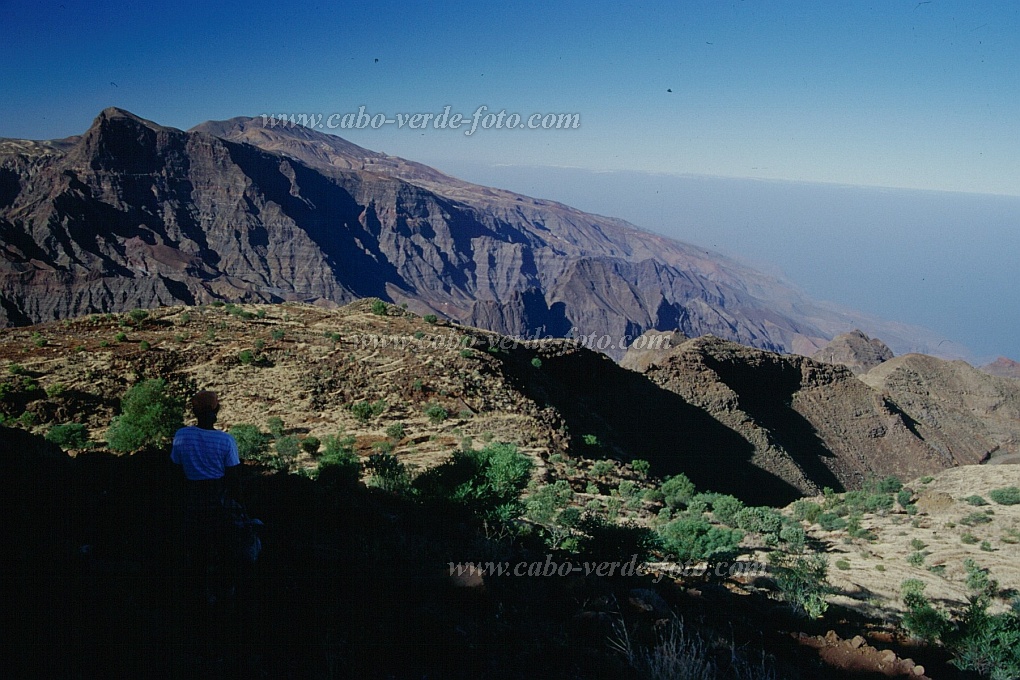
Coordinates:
[944,260]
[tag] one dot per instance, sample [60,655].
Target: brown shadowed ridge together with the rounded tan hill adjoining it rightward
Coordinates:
[817,425]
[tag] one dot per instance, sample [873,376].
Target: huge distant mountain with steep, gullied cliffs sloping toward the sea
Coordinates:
[135,215]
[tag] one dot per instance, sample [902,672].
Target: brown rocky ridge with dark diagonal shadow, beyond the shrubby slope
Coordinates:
[809,424]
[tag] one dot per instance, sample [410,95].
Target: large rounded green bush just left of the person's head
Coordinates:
[149,417]
